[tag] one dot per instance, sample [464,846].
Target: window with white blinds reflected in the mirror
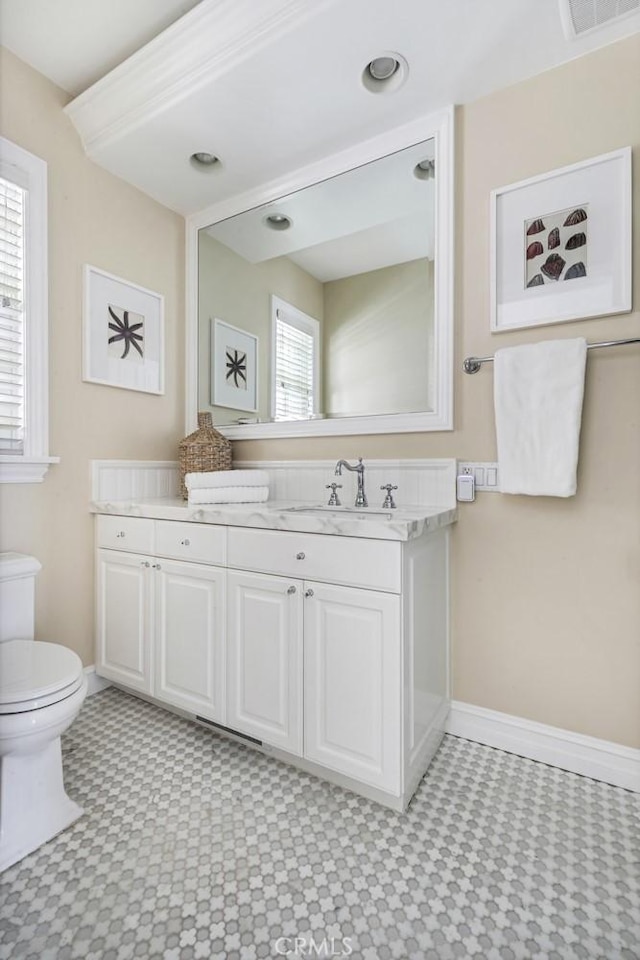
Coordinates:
[295,363]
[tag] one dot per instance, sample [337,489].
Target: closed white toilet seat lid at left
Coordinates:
[34,674]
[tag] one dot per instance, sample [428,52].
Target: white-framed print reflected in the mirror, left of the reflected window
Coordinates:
[234,367]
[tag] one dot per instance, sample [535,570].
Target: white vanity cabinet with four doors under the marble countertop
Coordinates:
[329,651]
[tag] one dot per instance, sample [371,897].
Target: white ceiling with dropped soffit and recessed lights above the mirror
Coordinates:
[276,85]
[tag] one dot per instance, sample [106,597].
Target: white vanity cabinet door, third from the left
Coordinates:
[264,650]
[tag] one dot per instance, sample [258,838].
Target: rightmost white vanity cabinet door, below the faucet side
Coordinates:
[352,672]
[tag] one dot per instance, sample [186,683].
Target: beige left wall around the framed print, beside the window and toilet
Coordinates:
[93,218]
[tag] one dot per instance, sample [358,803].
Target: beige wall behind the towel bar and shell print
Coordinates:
[546,593]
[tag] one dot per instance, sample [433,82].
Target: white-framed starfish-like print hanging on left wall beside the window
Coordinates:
[123,333]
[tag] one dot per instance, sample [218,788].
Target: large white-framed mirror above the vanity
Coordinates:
[323,304]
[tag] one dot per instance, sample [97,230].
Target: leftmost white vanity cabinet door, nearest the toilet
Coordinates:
[123,619]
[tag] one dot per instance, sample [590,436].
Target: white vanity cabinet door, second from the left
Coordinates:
[189,636]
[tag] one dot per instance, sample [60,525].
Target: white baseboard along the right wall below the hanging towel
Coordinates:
[588,756]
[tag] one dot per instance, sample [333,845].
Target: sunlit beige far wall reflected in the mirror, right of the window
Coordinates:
[378,341]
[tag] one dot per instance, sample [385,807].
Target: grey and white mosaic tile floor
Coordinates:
[193,846]
